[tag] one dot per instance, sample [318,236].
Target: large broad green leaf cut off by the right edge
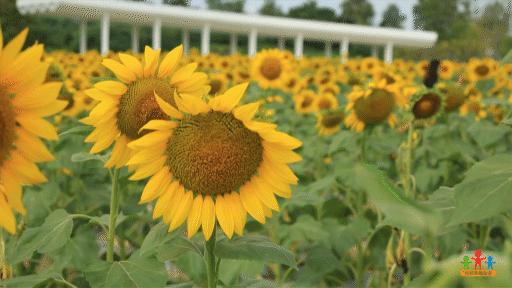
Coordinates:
[485,191]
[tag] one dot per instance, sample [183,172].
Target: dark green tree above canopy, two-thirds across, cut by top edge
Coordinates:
[357,12]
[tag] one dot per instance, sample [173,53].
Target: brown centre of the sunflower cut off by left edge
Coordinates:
[7,126]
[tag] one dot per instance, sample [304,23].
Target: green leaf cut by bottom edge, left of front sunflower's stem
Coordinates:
[136,273]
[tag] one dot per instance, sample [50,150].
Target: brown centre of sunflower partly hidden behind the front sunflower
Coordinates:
[138,105]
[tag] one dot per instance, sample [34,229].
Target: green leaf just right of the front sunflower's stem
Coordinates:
[254,248]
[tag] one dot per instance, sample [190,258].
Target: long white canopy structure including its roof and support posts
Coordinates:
[158,15]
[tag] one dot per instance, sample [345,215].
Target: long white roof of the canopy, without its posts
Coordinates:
[146,13]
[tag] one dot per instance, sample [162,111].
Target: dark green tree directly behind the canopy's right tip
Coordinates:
[439,16]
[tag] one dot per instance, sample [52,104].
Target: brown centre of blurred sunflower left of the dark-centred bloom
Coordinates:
[375,108]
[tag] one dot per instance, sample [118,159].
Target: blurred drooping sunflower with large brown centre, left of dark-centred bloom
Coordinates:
[372,106]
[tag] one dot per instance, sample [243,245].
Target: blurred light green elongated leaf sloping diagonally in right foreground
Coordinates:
[400,211]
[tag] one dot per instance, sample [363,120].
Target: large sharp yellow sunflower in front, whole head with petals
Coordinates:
[213,162]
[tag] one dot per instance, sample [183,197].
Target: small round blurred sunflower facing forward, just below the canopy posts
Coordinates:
[269,68]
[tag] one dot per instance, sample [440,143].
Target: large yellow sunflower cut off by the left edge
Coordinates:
[24,100]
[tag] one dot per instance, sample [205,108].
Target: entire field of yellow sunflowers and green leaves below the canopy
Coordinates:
[163,169]
